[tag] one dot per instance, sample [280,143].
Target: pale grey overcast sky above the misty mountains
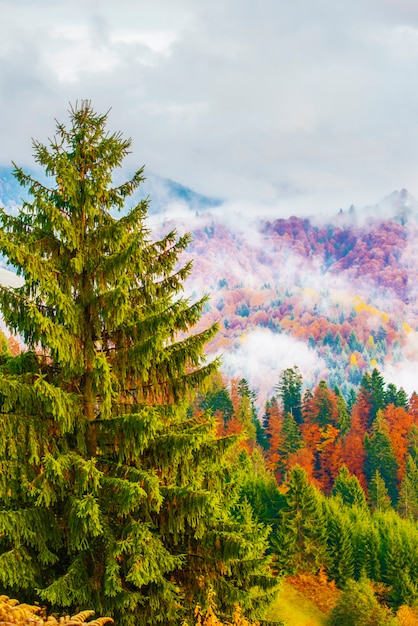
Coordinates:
[286,104]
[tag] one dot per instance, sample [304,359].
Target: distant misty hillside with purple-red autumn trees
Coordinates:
[337,296]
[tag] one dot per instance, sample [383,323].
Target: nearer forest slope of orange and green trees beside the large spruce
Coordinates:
[345,496]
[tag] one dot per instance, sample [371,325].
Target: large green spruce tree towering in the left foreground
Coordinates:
[112,497]
